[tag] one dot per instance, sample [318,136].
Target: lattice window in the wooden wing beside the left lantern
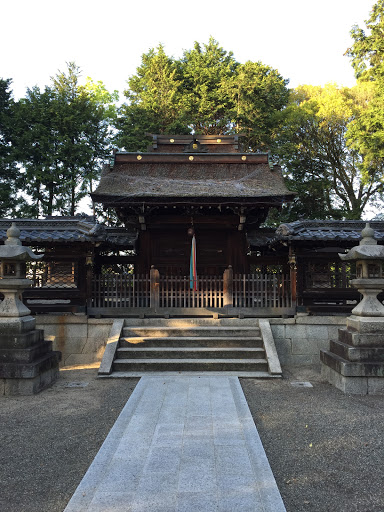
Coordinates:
[53,274]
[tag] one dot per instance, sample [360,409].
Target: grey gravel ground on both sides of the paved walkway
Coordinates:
[325,448]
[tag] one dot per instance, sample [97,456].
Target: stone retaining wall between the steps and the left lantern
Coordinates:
[80,339]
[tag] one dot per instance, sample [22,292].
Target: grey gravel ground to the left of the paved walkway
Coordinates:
[48,441]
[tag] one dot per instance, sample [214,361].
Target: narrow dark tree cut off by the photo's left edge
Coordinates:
[8,167]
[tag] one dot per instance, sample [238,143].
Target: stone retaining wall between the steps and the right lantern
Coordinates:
[299,340]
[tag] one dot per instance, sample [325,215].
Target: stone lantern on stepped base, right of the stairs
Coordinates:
[354,362]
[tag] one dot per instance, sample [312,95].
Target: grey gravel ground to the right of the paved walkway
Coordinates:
[326,449]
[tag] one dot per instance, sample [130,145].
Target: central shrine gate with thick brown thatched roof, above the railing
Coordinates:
[183,183]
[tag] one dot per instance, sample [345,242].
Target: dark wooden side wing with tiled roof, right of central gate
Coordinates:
[322,278]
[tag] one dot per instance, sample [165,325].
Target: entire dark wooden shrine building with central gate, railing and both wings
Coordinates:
[208,186]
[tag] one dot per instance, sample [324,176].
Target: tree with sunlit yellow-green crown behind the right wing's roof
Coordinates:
[325,172]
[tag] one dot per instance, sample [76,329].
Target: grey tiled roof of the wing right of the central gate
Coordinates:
[327,230]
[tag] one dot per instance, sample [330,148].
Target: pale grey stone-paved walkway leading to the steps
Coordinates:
[181,444]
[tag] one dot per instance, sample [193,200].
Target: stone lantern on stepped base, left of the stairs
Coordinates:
[27,362]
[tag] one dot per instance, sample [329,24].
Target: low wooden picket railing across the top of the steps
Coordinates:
[154,293]
